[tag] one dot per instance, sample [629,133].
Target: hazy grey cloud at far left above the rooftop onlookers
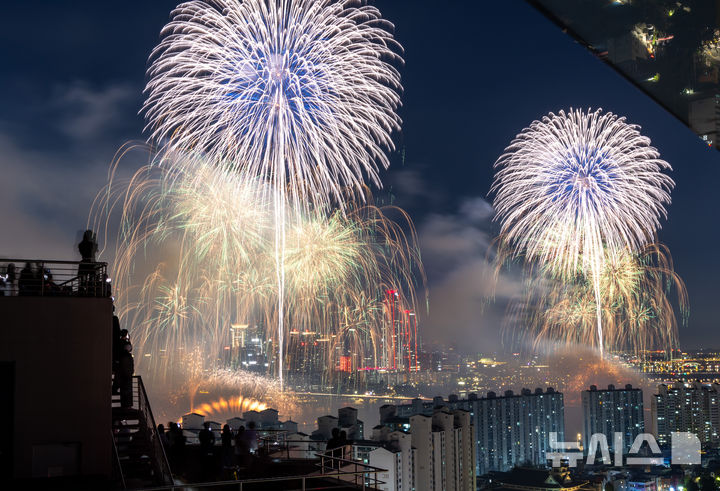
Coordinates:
[46,191]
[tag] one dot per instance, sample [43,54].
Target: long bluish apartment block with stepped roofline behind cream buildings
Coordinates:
[507,430]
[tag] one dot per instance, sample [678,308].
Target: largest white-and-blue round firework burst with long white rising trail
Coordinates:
[300,95]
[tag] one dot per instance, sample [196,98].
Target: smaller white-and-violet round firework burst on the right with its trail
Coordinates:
[577,187]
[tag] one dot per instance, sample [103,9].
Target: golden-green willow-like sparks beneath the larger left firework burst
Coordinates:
[194,257]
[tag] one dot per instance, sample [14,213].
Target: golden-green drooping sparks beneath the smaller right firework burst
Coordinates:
[637,311]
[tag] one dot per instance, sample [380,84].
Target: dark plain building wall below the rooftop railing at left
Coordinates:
[61,351]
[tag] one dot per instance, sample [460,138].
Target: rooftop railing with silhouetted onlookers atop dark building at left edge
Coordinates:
[45,278]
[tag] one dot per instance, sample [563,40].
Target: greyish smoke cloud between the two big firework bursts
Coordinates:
[467,298]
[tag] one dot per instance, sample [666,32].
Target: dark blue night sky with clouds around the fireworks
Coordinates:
[476,74]
